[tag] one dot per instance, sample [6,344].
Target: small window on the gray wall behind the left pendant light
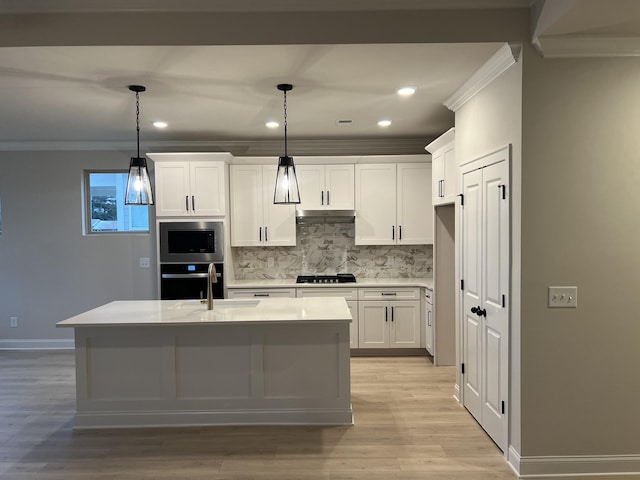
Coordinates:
[105,210]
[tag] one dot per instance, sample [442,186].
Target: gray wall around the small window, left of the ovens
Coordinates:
[49,270]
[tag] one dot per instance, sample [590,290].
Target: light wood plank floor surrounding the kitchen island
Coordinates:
[407,426]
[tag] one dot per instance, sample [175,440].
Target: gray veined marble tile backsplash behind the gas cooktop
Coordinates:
[329,249]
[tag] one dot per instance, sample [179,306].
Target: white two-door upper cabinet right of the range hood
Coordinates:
[393,204]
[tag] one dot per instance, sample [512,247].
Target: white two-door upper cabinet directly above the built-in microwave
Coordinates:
[190,184]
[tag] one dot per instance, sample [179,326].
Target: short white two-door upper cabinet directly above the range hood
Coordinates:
[326,187]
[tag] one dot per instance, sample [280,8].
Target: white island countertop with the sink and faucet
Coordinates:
[192,312]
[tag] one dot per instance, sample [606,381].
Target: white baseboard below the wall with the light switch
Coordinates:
[573,466]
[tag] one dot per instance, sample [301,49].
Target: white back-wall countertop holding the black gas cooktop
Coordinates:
[360,282]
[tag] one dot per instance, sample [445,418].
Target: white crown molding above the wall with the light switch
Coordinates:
[565,46]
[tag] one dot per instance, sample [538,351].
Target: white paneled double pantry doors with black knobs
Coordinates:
[485,272]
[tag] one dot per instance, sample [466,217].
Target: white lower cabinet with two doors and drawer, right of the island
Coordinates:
[387,323]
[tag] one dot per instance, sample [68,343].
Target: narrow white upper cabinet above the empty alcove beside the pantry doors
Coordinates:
[445,169]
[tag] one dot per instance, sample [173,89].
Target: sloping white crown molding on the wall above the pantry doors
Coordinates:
[504,58]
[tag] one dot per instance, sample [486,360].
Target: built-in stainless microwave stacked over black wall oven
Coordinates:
[186,249]
